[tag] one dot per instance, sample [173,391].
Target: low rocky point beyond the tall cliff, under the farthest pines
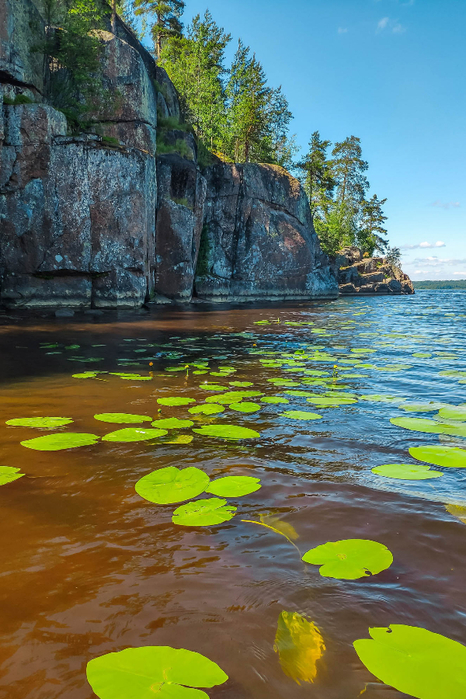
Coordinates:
[370,275]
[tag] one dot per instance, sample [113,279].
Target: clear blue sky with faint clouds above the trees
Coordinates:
[392,73]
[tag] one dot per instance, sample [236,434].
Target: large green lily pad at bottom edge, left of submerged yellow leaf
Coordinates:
[140,673]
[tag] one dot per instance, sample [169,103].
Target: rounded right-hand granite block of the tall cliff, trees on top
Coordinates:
[258,241]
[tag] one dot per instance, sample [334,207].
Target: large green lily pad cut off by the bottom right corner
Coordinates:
[415,661]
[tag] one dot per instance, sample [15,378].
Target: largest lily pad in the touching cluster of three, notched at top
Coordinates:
[170,485]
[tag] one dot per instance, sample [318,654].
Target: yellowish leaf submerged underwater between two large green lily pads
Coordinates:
[299,645]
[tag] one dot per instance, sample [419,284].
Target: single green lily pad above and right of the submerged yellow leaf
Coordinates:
[350,559]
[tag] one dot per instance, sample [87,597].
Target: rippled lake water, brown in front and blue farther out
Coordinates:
[89,567]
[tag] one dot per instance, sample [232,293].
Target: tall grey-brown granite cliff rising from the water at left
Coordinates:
[123,213]
